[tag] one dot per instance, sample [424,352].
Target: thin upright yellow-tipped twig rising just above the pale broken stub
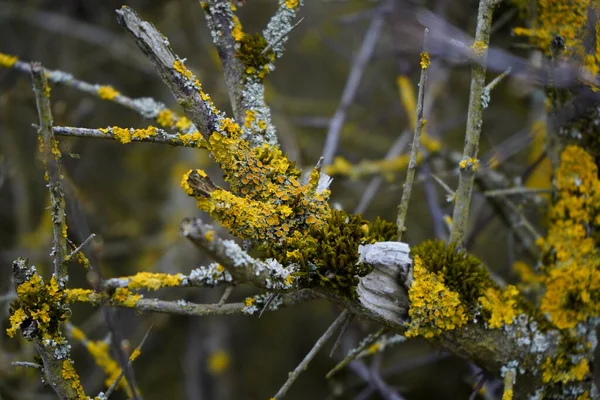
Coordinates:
[414,150]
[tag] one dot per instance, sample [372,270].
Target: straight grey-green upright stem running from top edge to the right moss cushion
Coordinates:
[474,121]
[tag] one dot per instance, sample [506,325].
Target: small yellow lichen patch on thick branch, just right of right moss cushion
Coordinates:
[502,305]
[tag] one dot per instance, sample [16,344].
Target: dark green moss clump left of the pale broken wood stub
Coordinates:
[328,256]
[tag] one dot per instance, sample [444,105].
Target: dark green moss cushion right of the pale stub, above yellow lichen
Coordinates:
[463,273]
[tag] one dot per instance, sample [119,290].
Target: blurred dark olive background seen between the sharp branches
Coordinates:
[129,195]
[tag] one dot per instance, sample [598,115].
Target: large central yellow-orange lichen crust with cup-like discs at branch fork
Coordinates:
[271,202]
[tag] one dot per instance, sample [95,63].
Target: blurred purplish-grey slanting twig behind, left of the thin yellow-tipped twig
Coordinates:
[358,66]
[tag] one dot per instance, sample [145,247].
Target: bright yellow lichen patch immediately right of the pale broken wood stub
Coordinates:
[433,307]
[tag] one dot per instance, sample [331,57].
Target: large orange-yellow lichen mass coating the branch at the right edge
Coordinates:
[573,272]
